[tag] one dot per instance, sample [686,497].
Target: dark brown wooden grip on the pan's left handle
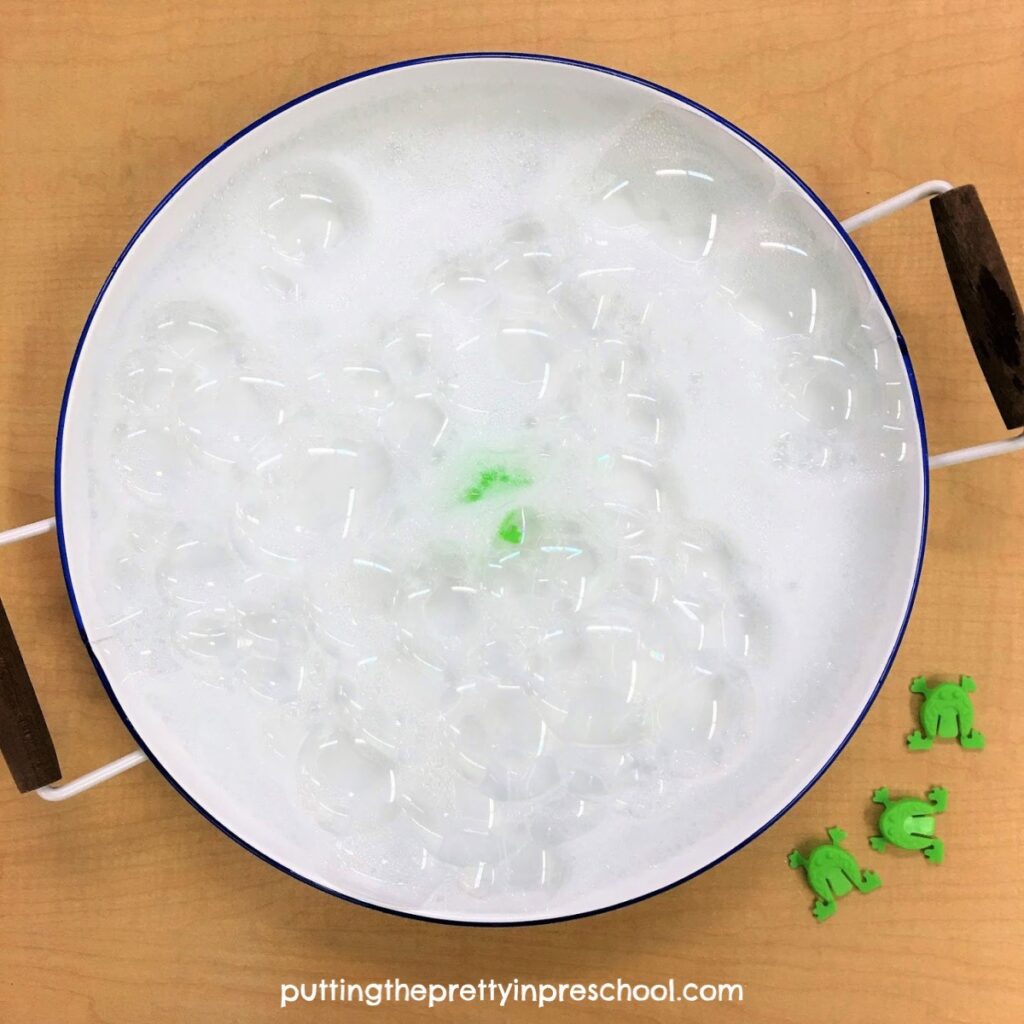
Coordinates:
[25,740]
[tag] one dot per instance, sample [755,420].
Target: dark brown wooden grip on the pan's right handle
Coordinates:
[986,294]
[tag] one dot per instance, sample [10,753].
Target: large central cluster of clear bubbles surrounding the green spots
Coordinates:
[489,667]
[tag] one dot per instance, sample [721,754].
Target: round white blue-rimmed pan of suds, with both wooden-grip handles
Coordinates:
[346,260]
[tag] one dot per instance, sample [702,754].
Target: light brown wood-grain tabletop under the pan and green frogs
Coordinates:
[124,907]
